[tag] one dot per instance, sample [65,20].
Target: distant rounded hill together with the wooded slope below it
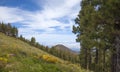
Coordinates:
[65,53]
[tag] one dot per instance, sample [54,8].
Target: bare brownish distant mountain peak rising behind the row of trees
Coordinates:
[65,49]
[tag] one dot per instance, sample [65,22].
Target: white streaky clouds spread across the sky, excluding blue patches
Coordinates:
[45,19]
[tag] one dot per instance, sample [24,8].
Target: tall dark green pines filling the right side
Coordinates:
[98,30]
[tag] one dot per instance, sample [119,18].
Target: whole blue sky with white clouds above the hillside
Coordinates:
[49,21]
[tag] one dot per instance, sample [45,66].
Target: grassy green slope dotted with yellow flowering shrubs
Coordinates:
[18,56]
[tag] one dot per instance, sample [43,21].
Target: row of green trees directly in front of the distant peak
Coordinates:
[65,55]
